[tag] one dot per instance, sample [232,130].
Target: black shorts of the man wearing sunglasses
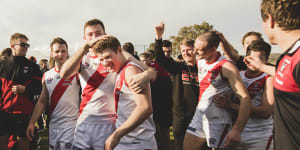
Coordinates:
[15,124]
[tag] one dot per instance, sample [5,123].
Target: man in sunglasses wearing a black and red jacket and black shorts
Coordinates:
[20,82]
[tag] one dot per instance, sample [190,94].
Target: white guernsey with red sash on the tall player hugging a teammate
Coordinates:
[97,83]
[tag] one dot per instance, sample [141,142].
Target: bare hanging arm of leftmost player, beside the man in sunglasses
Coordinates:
[38,110]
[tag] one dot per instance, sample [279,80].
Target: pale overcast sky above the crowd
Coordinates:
[129,20]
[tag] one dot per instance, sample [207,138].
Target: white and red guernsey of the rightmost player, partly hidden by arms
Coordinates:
[256,127]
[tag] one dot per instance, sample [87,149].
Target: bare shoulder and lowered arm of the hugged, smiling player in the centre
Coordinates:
[141,112]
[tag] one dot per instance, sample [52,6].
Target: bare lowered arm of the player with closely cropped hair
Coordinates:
[231,73]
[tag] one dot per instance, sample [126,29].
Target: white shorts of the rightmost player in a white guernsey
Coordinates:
[265,143]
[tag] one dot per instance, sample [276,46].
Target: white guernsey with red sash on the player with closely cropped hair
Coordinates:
[211,83]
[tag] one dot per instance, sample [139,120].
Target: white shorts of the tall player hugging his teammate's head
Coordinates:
[92,136]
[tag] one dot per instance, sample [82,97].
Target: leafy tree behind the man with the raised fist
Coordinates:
[190,32]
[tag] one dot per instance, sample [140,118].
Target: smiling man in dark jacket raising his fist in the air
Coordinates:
[185,82]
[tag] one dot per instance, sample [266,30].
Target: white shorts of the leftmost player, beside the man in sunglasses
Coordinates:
[61,138]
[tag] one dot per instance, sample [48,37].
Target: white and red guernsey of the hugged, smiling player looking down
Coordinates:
[125,105]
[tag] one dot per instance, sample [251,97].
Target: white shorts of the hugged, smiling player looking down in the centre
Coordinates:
[142,145]
